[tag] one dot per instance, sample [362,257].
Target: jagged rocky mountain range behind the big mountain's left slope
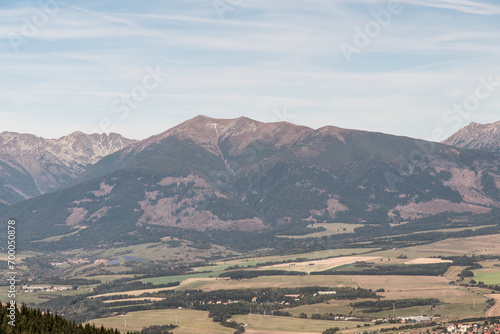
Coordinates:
[31,165]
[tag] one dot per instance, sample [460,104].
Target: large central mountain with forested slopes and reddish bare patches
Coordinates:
[242,175]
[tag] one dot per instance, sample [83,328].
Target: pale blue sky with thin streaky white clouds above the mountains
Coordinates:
[418,68]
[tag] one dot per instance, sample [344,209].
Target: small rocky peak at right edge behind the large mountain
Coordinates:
[477,136]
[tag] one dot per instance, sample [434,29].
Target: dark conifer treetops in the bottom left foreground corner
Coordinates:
[30,320]
